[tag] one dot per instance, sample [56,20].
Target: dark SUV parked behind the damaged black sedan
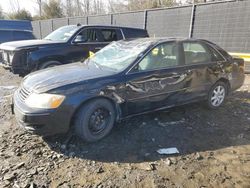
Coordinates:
[65,45]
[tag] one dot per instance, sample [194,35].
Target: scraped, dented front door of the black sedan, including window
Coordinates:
[159,80]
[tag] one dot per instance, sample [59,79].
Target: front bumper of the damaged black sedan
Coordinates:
[40,122]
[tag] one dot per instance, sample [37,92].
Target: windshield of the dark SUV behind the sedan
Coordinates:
[62,34]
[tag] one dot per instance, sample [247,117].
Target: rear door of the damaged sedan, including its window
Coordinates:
[204,64]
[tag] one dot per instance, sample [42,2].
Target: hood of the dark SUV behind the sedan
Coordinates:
[24,44]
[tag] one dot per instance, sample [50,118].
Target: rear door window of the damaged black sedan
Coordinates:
[196,53]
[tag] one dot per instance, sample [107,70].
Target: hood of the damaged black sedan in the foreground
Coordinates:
[52,78]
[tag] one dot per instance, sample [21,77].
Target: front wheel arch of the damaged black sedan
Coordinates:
[116,107]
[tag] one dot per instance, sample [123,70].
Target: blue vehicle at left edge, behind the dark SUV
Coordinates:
[14,30]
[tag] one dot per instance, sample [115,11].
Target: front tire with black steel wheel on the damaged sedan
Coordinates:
[90,122]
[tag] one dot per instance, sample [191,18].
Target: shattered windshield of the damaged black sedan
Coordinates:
[119,55]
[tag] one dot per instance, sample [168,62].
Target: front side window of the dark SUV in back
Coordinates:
[87,35]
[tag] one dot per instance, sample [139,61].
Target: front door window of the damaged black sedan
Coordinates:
[162,56]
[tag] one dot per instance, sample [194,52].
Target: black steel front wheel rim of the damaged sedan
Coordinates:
[99,120]
